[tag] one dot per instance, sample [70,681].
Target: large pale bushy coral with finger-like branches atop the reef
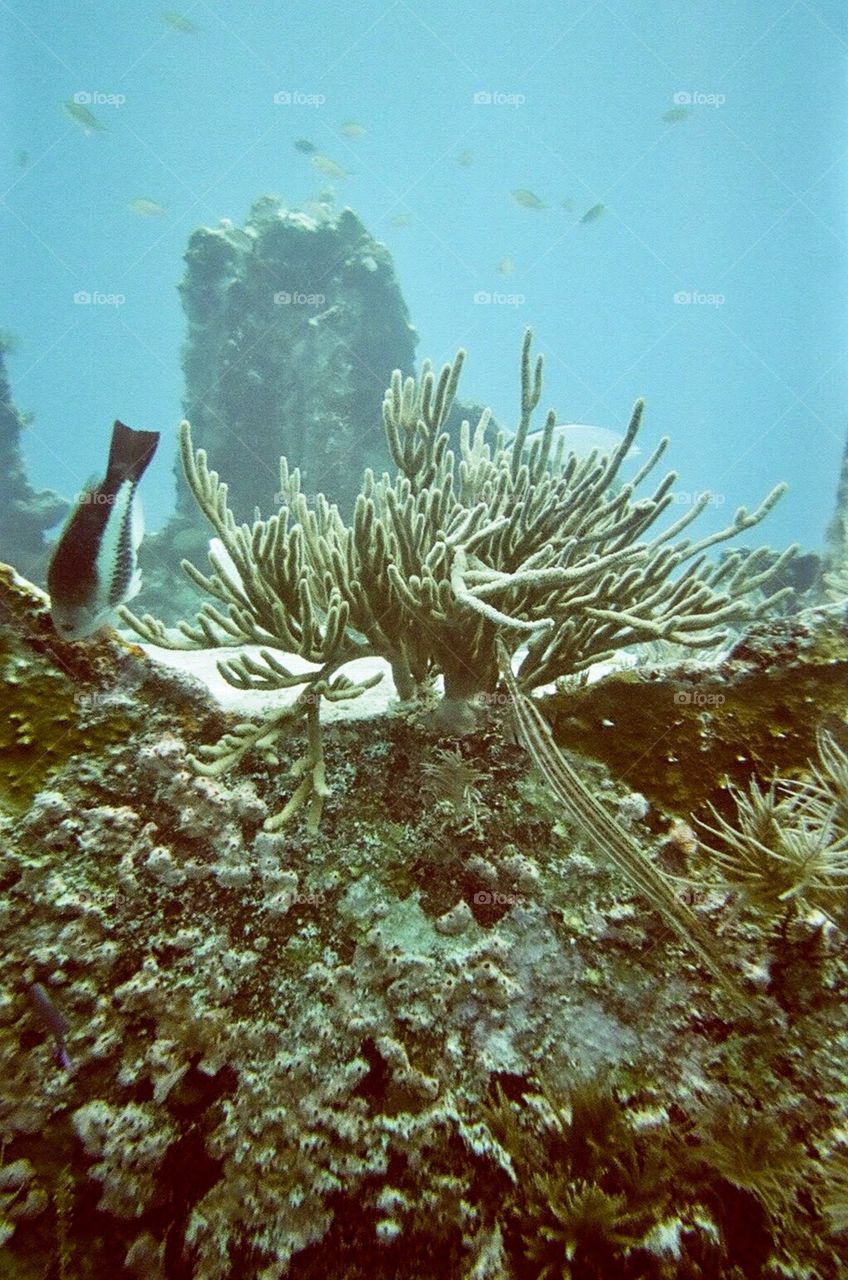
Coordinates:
[514,541]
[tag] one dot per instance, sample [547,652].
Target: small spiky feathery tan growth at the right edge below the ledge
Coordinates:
[790,844]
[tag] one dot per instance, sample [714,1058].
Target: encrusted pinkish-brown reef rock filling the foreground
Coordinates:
[436,1039]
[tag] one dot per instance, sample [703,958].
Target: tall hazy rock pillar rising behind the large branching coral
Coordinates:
[295,326]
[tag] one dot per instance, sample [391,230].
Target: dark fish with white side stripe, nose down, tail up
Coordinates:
[95,566]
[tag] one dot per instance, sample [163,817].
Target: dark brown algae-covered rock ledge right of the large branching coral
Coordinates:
[755,711]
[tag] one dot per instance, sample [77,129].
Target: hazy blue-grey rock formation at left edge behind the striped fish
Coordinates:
[25,514]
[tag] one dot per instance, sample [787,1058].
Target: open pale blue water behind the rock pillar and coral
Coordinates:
[742,207]
